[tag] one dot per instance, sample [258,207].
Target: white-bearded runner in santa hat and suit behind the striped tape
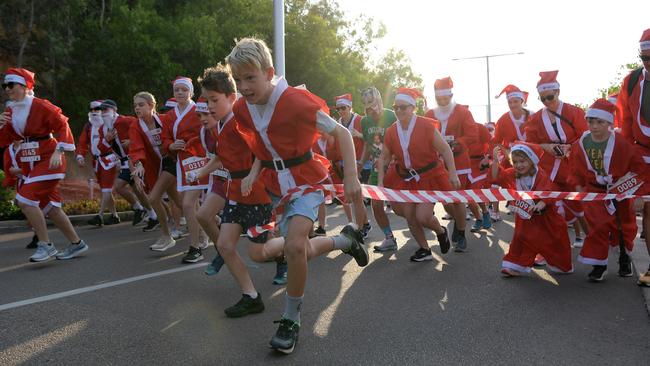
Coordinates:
[457,126]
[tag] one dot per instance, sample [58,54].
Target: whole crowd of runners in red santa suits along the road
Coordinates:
[249,155]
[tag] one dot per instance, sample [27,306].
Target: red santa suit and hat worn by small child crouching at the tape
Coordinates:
[544,233]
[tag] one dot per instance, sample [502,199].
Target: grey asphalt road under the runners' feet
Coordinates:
[454,310]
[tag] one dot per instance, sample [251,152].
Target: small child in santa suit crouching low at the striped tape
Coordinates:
[539,228]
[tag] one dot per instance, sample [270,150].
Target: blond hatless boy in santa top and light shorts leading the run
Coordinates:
[280,124]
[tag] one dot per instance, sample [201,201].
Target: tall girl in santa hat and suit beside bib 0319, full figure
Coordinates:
[180,125]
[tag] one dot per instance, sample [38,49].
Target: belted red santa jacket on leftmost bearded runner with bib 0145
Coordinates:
[35,120]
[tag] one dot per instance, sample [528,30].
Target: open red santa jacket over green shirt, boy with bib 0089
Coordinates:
[619,158]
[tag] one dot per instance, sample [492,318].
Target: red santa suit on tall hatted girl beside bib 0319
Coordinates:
[184,126]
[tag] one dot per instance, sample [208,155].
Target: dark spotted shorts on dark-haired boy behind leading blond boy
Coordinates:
[248,216]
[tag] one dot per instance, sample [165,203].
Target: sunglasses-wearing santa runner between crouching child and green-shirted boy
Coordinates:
[554,128]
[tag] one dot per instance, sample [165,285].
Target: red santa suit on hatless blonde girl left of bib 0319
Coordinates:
[145,147]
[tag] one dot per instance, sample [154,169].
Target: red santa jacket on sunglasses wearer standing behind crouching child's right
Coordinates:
[539,130]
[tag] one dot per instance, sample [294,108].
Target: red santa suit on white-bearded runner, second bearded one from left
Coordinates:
[105,162]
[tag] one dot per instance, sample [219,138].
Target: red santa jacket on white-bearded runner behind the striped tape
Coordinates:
[461,128]
